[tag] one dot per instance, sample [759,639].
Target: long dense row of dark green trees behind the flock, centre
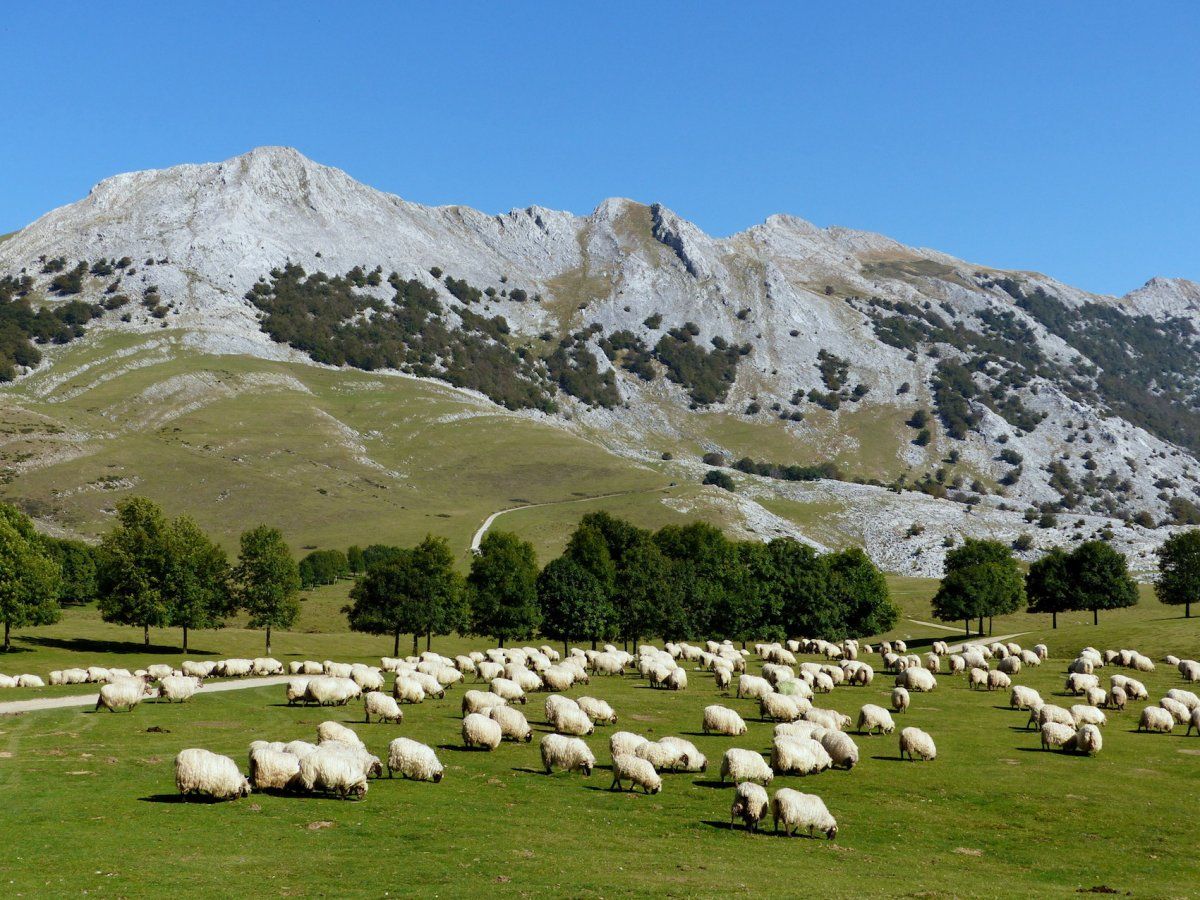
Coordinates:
[619,583]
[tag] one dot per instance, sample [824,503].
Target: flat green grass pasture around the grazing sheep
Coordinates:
[994,814]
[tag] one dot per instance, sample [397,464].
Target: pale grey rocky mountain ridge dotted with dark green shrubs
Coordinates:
[907,395]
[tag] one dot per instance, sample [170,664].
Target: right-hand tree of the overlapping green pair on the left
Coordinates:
[197,579]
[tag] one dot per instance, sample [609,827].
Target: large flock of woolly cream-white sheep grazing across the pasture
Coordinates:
[807,739]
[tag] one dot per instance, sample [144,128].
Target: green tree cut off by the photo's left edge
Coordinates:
[29,578]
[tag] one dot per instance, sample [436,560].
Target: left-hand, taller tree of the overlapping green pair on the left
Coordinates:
[134,572]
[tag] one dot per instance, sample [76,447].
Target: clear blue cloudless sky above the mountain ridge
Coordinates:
[1063,137]
